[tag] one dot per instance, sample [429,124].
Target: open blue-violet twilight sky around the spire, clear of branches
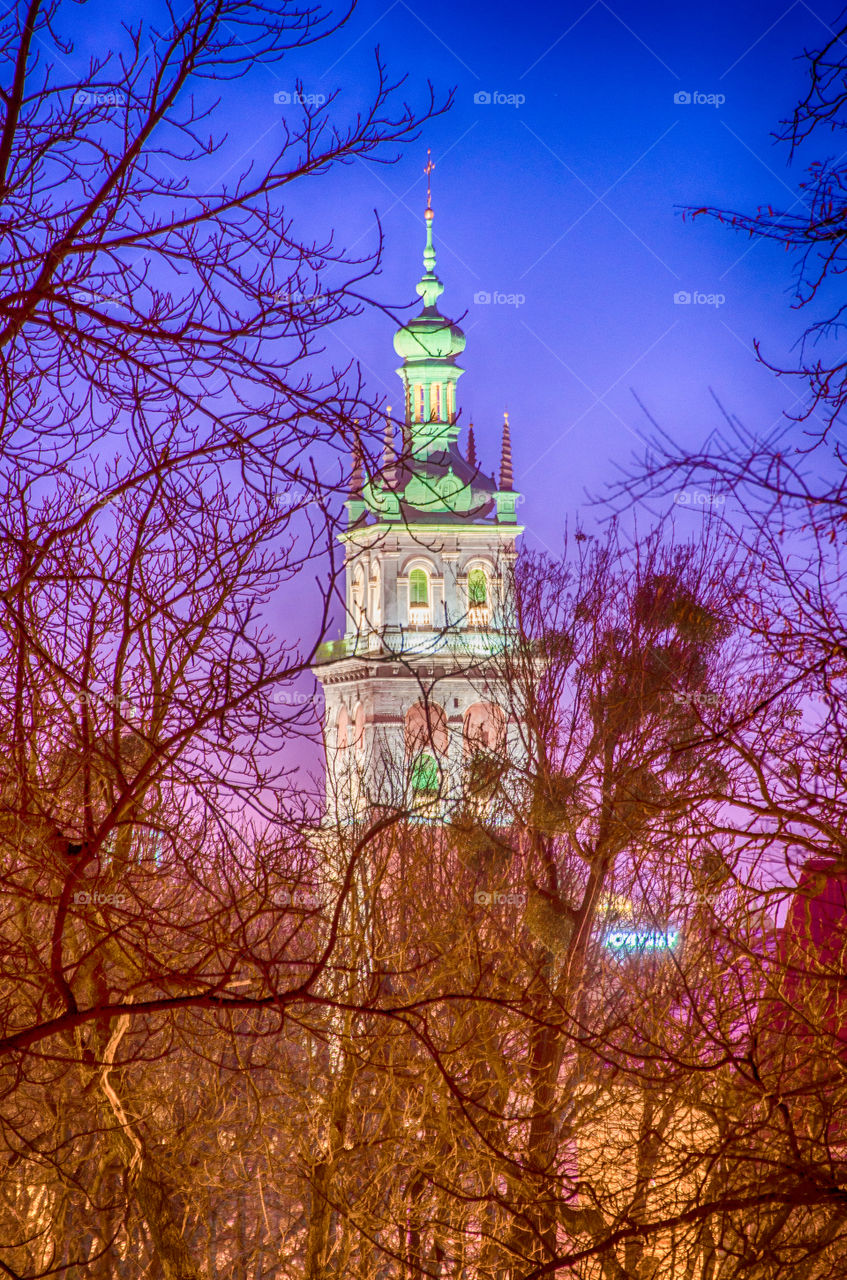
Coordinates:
[562,204]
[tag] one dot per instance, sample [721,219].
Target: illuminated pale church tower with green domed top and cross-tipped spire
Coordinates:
[413,692]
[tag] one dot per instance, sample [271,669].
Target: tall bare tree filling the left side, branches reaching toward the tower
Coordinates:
[172,445]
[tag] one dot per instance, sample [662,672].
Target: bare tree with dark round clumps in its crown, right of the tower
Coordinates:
[532,1049]
